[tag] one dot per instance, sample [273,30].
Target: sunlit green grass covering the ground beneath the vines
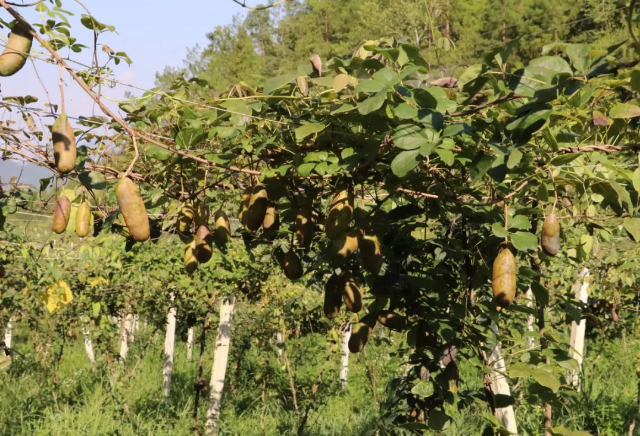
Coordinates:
[257,398]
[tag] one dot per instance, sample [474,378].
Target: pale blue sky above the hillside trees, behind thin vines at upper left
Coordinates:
[154,33]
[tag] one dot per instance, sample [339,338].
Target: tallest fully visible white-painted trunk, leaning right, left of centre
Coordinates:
[220,358]
